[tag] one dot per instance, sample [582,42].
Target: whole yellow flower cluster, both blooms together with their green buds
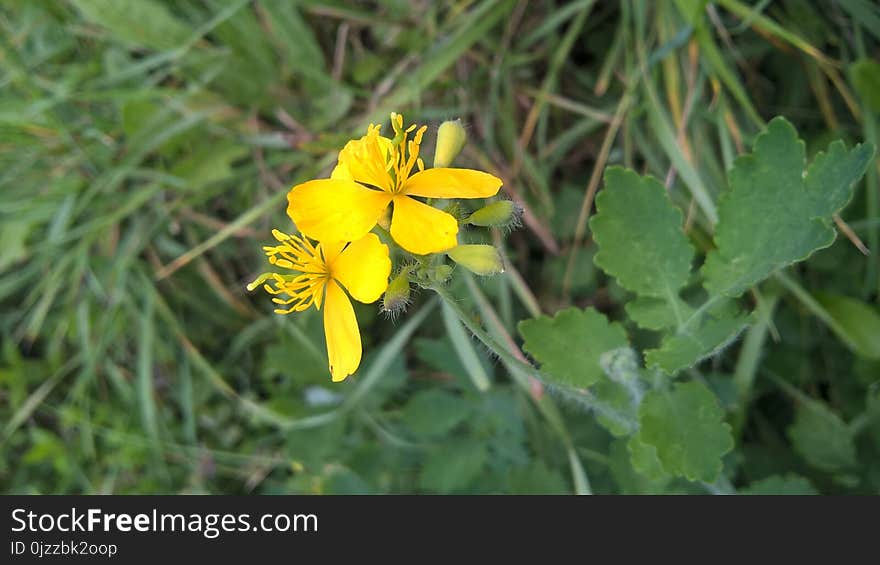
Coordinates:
[379,184]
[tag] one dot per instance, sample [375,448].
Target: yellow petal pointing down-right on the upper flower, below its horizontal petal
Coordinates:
[421,229]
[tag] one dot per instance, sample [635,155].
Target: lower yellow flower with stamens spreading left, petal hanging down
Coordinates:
[319,274]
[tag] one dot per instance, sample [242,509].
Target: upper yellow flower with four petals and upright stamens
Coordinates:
[376,171]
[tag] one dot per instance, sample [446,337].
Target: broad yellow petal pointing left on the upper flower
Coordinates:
[335,209]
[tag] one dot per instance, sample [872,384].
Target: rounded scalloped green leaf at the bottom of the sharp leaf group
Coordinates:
[685,425]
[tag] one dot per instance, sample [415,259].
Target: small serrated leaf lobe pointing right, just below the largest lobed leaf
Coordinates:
[679,351]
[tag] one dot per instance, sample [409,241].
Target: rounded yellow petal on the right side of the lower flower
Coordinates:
[363,268]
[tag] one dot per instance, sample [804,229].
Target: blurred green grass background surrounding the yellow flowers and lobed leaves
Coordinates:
[146,148]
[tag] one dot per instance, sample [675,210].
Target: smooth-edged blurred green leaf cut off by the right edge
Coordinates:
[858,324]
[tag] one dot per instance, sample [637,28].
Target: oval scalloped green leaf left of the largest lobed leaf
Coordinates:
[639,235]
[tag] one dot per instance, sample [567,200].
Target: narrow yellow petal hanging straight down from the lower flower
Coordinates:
[342,333]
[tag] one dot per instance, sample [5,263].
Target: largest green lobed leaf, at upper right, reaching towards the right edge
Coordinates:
[773,215]
